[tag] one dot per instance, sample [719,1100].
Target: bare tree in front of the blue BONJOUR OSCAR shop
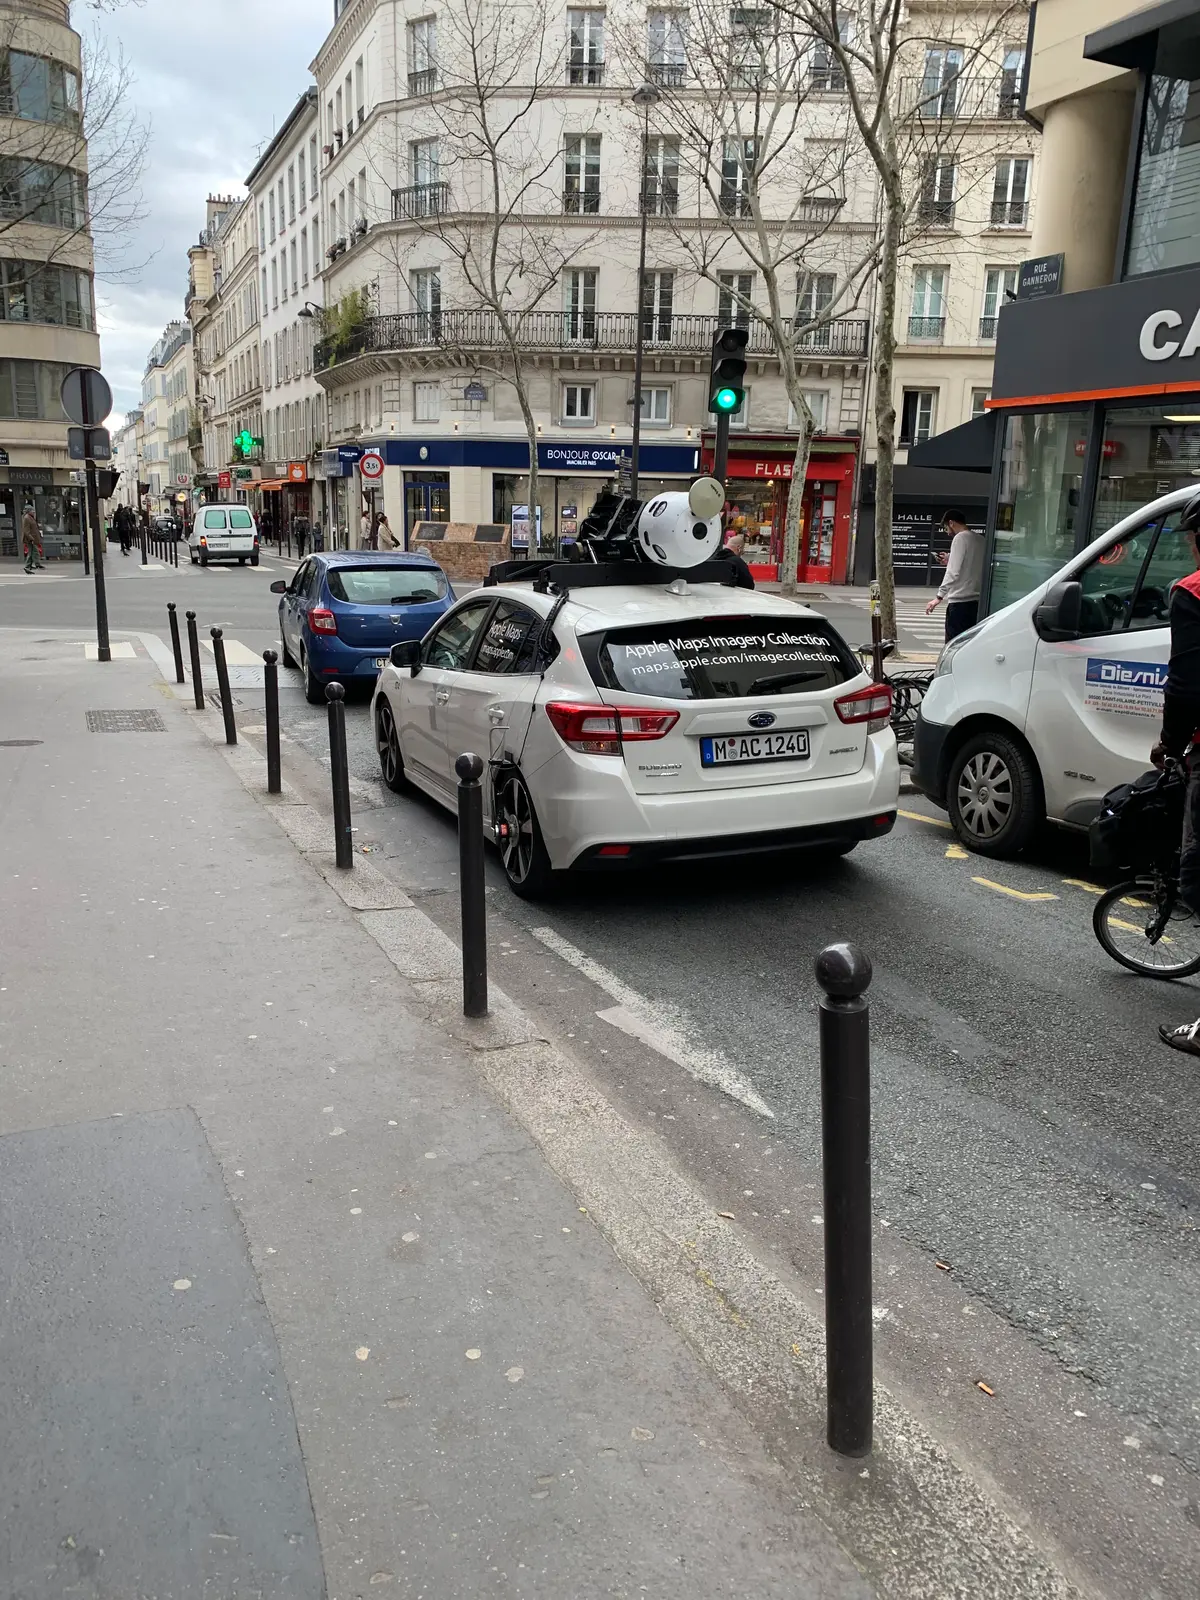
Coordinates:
[486,185]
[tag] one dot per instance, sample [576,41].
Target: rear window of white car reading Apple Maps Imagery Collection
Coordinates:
[724,658]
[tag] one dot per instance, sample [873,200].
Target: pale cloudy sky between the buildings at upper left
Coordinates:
[215,79]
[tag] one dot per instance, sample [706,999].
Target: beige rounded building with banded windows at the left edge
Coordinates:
[47,303]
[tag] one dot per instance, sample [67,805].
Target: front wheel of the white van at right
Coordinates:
[994,794]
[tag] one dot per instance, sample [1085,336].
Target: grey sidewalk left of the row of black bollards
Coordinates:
[294,1306]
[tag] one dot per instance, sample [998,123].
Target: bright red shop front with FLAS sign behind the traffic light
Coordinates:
[759,481]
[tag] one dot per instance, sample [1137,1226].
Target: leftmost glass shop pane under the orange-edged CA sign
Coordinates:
[1038,502]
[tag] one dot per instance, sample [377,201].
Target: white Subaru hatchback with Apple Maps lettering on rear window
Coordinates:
[631,724]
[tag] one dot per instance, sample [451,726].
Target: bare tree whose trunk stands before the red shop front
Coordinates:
[772,186]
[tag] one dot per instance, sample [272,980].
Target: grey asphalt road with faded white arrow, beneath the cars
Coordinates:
[1034,1145]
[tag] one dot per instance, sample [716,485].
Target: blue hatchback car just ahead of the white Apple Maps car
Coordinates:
[343,612]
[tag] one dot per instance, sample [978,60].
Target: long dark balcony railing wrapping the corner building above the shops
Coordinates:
[551,330]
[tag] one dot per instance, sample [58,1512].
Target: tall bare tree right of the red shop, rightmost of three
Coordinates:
[921,108]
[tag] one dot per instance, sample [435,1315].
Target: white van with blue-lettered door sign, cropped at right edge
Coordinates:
[1039,711]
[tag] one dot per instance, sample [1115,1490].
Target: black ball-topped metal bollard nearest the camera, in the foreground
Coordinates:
[844,974]
